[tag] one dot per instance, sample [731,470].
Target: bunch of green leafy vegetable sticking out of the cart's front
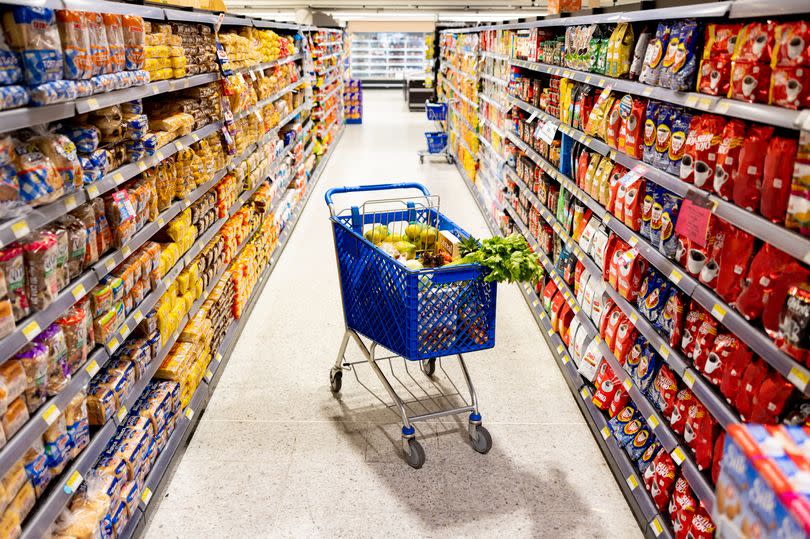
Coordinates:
[509,259]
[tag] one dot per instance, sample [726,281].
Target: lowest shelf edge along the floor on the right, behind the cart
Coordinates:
[626,476]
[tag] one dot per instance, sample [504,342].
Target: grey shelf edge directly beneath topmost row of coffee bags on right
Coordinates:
[767,114]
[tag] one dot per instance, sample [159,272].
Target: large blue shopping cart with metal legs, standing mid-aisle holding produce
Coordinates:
[419,315]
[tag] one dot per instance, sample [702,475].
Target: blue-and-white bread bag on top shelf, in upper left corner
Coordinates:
[33,32]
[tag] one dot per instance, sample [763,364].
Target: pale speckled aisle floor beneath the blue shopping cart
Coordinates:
[276,455]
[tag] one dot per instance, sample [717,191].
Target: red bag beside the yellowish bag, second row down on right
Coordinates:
[776,178]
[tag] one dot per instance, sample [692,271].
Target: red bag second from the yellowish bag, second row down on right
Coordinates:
[747,177]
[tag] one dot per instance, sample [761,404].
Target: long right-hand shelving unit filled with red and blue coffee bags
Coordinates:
[660,170]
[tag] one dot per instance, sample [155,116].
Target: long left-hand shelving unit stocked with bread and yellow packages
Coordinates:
[149,186]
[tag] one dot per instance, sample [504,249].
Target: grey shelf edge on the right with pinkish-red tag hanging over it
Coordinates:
[786,240]
